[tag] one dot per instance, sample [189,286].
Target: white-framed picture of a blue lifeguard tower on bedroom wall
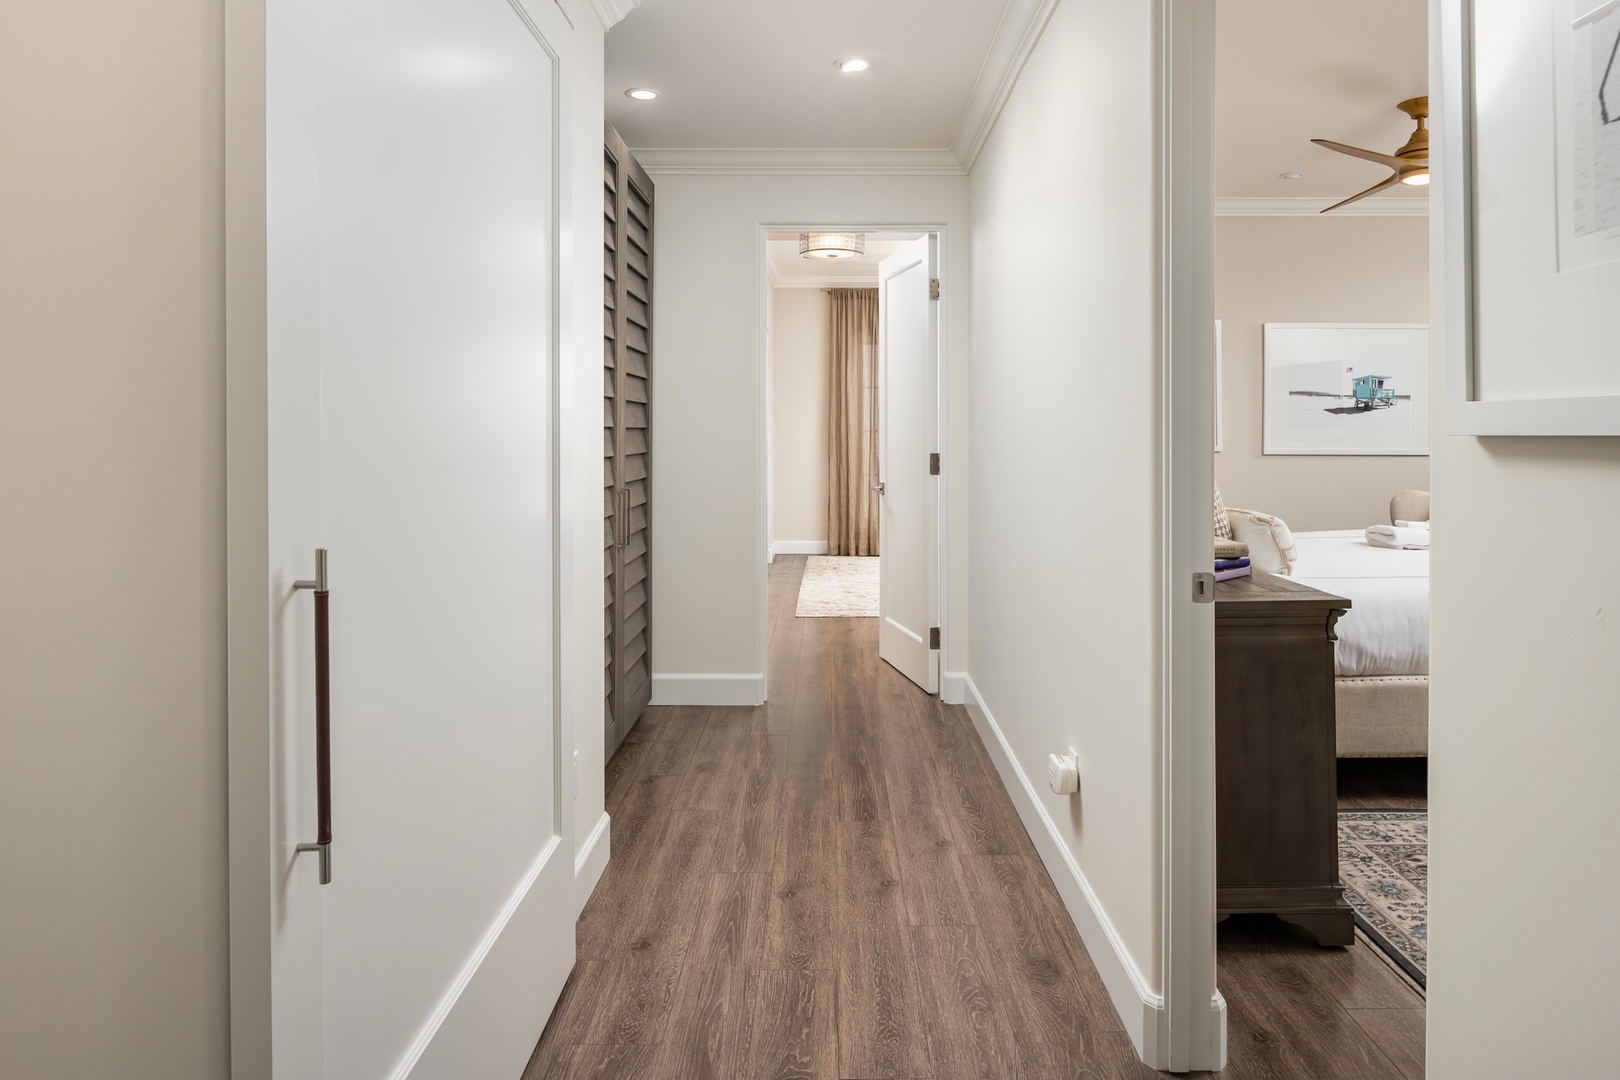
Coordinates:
[1347,388]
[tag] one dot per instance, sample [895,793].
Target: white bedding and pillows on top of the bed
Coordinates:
[1386,632]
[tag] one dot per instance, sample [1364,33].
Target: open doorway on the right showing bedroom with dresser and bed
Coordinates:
[1295,255]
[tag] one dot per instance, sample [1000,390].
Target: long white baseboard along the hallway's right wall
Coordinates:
[1141,1011]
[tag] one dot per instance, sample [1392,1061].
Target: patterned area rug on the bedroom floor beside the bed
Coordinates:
[1384,862]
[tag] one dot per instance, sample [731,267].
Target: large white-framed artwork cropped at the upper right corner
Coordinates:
[1530,216]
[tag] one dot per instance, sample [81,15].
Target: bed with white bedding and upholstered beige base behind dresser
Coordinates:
[1383,653]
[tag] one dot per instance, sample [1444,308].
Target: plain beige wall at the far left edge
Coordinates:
[113,631]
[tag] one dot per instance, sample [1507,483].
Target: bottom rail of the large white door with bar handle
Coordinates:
[492,1016]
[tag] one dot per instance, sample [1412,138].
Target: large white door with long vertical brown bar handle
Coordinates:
[414,299]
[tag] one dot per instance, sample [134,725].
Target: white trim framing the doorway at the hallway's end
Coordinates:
[942,415]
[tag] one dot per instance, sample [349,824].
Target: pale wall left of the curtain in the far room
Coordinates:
[799,373]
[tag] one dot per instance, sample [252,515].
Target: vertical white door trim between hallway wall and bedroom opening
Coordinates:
[1193,1023]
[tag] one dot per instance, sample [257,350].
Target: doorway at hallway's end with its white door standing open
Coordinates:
[853,373]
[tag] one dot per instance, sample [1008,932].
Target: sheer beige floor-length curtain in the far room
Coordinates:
[853,423]
